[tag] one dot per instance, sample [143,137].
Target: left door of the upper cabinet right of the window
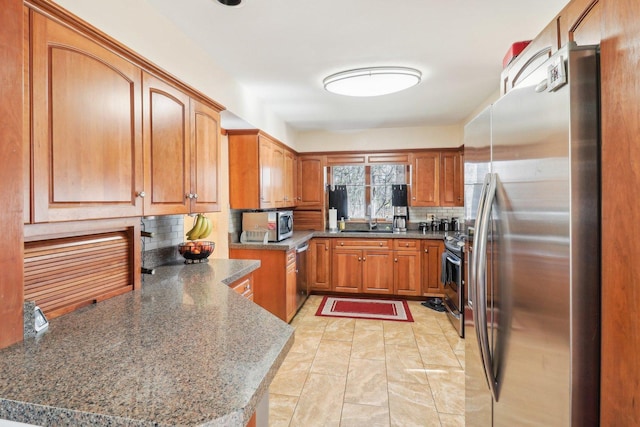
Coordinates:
[426,179]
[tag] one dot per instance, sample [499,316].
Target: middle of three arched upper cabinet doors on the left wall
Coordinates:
[167,150]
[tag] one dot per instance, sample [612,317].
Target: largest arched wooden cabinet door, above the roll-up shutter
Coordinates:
[87,134]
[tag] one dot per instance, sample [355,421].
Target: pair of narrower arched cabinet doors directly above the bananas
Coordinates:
[181,151]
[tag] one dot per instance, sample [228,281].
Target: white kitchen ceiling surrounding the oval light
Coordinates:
[280,51]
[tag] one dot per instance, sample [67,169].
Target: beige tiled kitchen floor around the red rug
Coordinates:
[352,373]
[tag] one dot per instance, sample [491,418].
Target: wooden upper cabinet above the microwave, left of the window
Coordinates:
[261,171]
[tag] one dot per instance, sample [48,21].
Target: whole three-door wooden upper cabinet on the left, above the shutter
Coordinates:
[87,157]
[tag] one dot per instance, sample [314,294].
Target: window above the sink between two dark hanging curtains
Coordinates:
[369,186]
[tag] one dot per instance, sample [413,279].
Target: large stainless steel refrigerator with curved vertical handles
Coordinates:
[532,199]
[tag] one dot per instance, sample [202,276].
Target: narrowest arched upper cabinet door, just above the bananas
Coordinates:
[205,158]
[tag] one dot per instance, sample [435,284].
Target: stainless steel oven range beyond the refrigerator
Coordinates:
[453,280]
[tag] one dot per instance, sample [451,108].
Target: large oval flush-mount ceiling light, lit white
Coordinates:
[372,81]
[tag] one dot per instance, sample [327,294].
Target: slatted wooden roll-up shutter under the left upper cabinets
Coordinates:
[62,275]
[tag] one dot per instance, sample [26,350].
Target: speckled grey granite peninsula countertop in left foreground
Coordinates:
[183,350]
